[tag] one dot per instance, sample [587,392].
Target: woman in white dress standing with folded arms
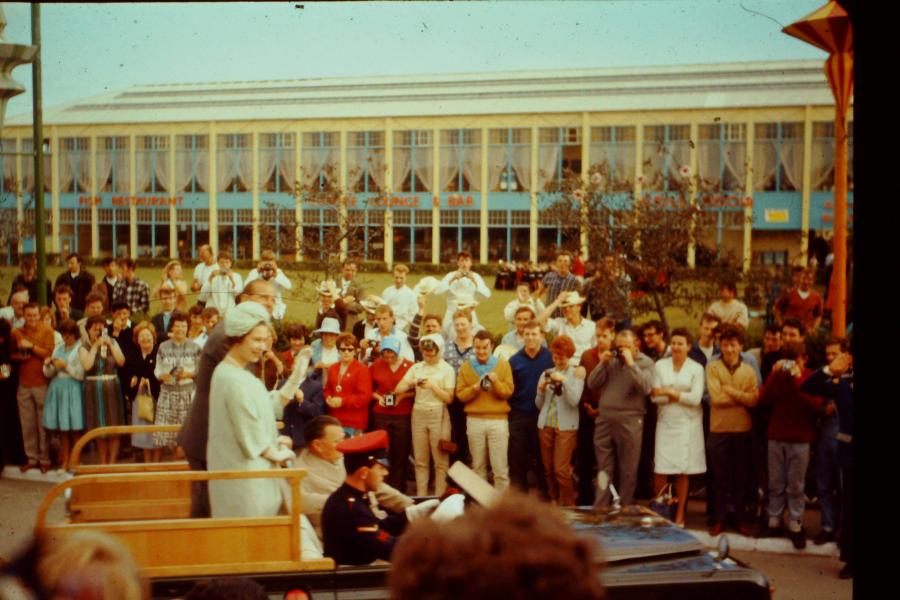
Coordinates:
[677,390]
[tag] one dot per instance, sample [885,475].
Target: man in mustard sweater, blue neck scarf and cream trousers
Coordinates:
[484,385]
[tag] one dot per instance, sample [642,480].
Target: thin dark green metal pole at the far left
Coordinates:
[38,145]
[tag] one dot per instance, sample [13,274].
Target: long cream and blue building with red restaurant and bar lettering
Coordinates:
[434,164]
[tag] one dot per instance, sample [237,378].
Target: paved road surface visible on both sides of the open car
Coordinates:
[806,575]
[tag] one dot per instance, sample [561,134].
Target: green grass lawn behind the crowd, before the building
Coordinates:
[300,301]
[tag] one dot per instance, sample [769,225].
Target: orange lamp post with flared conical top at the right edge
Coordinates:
[829,28]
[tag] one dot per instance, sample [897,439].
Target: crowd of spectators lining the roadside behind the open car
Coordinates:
[575,400]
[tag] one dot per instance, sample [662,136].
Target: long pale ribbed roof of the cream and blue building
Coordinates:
[679,87]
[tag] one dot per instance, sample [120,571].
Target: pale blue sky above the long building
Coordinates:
[91,49]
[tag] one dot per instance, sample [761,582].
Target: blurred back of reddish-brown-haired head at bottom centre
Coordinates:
[518,548]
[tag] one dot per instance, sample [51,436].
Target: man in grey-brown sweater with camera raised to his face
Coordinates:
[620,383]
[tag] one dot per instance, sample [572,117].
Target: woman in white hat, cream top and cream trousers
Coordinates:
[434,383]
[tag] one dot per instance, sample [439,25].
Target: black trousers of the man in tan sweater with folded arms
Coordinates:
[732,458]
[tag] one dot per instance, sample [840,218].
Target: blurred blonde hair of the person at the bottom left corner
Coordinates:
[90,564]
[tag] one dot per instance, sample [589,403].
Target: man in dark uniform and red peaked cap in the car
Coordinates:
[353,535]
